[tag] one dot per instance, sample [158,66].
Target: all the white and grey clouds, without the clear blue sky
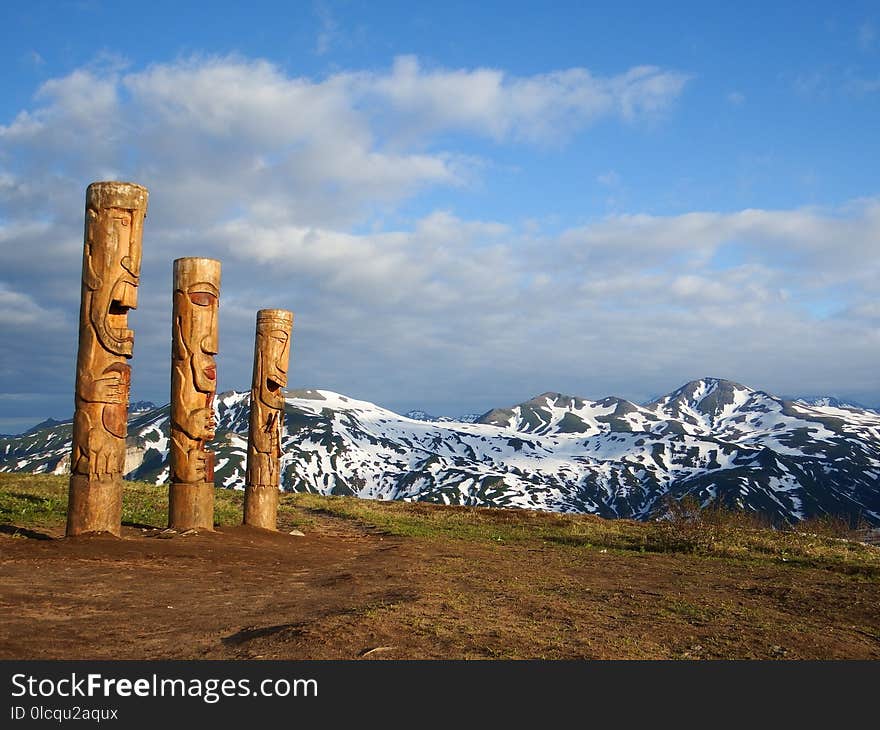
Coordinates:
[280,176]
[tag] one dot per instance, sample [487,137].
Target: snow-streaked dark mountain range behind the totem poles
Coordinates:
[714,439]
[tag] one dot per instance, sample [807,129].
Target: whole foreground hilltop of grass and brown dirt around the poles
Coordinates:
[413,580]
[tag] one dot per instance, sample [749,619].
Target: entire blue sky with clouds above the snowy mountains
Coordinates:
[464,205]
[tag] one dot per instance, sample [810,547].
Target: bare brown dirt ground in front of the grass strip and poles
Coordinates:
[347,592]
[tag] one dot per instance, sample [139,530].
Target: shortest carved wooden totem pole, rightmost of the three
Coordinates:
[271,357]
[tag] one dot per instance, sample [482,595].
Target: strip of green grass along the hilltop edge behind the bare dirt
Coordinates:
[33,501]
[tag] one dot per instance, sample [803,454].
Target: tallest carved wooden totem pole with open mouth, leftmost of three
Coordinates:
[114,220]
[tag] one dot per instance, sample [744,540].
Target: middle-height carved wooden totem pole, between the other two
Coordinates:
[193,385]
